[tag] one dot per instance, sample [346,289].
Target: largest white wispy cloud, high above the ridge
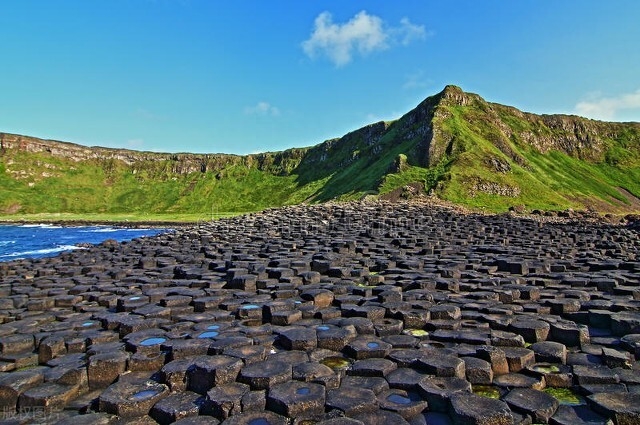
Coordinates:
[362,34]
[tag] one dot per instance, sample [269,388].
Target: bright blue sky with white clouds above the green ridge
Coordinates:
[254,76]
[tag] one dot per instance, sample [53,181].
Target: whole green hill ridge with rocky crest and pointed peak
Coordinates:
[454,146]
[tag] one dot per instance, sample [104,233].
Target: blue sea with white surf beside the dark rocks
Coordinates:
[46,240]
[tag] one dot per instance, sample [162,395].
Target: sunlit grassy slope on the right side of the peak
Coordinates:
[550,181]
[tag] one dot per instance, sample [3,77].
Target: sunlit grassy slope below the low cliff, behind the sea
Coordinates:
[85,188]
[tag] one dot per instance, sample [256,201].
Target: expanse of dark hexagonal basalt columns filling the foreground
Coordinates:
[332,314]
